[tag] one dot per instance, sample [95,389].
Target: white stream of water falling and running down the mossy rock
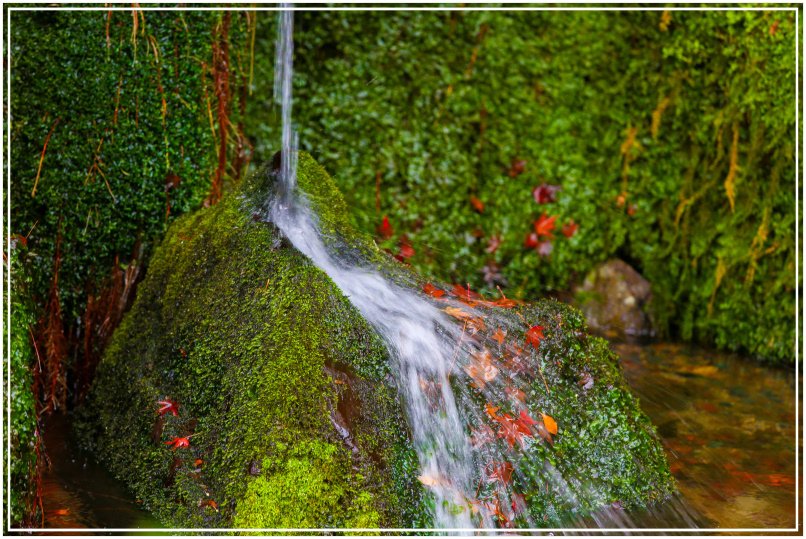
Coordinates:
[417,333]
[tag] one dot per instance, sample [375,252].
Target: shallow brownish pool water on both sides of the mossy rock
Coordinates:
[727,425]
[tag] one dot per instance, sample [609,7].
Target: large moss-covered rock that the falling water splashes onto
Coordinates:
[289,395]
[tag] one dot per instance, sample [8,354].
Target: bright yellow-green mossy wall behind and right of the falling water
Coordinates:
[633,114]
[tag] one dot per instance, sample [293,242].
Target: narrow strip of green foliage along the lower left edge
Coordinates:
[22,436]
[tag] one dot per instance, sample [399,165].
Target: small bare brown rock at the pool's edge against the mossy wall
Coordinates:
[613,299]
